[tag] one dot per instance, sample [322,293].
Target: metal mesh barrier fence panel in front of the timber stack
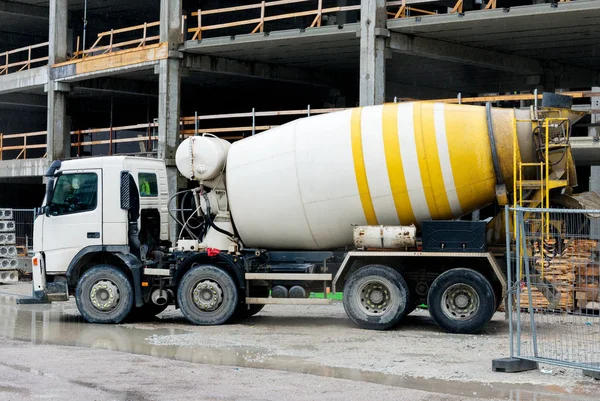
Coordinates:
[553,300]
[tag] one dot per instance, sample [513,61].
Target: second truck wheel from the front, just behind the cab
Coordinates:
[207,295]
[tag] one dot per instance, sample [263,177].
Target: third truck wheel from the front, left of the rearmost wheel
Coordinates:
[376,297]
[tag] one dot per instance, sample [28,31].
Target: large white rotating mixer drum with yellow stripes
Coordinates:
[304,184]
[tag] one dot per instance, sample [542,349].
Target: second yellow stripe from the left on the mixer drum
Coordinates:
[394,164]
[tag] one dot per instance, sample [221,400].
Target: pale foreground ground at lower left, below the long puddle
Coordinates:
[53,372]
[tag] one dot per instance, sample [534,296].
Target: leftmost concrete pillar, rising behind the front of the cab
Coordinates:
[58,138]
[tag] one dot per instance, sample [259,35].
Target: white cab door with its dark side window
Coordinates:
[73,218]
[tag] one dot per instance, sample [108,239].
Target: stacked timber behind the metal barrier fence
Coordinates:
[560,276]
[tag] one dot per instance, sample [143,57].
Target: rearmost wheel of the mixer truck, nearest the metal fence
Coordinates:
[461,301]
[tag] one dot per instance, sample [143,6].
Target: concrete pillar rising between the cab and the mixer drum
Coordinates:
[169,85]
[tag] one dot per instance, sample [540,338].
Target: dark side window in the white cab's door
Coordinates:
[74,193]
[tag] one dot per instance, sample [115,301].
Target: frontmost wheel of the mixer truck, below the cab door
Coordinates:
[104,295]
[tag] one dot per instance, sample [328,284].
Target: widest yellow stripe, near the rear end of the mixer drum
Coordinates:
[469,149]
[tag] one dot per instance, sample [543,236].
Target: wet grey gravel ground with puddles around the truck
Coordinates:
[308,345]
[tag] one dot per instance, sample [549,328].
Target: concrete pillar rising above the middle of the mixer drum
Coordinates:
[373,34]
